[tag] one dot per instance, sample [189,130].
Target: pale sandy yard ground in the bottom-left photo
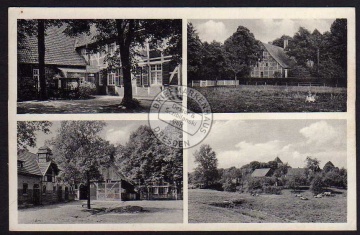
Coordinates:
[74,213]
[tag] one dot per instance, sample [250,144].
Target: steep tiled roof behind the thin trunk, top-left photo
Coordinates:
[59,49]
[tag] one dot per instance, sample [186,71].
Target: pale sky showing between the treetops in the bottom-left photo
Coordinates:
[115,132]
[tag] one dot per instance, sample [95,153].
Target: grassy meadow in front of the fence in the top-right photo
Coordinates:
[249,98]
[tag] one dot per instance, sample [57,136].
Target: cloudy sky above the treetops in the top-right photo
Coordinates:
[264,30]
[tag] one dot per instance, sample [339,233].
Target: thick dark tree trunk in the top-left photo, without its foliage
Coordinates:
[123,41]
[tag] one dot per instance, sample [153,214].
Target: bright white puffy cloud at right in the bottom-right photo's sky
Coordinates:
[319,133]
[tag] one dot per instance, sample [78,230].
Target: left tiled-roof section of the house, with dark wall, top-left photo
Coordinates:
[64,67]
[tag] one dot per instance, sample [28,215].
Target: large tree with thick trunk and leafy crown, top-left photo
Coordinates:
[129,35]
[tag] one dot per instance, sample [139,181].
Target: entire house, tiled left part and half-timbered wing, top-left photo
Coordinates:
[69,64]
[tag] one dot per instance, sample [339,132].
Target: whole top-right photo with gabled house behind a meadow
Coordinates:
[268,65]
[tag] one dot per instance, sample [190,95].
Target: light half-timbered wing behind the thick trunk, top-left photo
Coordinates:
[155,69]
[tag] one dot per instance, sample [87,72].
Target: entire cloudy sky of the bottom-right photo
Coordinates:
[237,143]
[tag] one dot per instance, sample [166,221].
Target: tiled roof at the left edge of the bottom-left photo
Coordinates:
[30,164]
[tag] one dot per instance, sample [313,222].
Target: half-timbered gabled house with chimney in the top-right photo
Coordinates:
[274,62]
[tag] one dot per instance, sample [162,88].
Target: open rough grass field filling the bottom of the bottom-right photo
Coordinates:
[210,206]
